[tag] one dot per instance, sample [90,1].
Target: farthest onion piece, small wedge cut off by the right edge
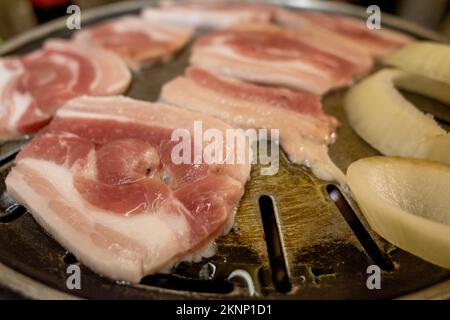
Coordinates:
[429,59]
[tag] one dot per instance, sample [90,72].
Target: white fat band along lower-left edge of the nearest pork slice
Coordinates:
[132,267]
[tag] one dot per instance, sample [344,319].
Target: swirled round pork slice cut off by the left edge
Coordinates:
[34,86]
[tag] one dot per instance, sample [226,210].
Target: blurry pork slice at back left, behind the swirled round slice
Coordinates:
[136,40]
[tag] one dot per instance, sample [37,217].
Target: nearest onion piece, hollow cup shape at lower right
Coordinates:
[407,202]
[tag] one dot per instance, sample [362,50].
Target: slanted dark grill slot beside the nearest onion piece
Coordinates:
[374,252]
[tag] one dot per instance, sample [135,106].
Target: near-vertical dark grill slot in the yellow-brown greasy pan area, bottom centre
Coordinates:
[280,275]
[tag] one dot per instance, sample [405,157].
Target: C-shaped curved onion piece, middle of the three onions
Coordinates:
[391,124]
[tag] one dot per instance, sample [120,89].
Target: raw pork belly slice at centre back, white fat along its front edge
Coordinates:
[268,54]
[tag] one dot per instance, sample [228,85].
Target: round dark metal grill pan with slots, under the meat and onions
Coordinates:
[290,240]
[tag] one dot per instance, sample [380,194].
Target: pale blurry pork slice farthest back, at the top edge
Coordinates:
[213,14]
